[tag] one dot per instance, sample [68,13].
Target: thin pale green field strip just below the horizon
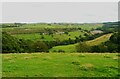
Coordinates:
[45,25]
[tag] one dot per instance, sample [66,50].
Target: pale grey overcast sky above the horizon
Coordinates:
[76,12]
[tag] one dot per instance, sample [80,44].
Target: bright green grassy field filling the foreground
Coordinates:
[60,65]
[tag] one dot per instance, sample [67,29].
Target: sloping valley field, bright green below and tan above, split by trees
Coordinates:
[71,48]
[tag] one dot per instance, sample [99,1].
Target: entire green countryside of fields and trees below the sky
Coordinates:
[60,49]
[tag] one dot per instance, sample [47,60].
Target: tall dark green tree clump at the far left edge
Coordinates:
[9,44]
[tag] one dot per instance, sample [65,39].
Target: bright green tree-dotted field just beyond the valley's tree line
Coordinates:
[60,37]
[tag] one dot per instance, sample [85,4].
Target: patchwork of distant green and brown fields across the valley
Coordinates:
[36,31]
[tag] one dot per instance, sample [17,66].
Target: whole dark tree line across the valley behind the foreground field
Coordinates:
[11,44]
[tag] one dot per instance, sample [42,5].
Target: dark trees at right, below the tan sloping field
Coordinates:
[112,45]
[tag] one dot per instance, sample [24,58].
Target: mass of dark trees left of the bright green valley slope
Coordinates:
[14,45]
